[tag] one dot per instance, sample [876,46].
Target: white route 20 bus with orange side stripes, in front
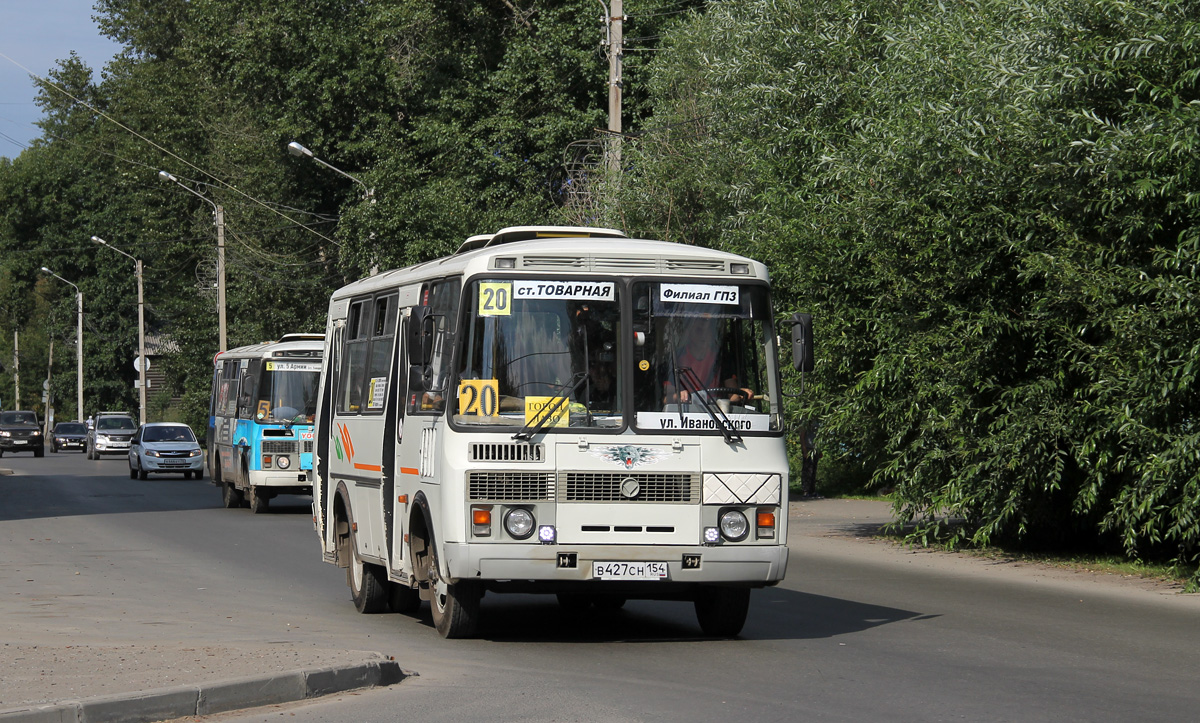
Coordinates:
[556,410]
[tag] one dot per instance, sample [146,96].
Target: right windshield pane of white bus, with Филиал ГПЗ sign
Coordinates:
[705,358]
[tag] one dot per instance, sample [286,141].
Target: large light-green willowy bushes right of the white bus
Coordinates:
[992,208]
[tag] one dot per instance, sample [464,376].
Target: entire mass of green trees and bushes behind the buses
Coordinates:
[991,208]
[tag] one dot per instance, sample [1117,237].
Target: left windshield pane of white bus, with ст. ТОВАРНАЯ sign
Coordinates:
[541,348]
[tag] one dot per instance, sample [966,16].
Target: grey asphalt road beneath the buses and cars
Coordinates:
[861,630]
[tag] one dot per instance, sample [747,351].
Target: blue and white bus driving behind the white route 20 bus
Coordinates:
[265,398]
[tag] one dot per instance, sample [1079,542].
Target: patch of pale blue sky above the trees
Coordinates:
[38,34]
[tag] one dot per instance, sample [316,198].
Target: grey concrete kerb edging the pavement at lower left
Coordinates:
[217,697]
